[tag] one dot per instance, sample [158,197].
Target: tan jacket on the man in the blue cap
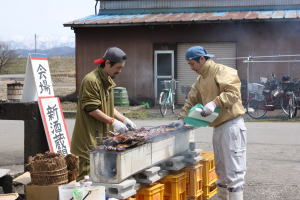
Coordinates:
[220,84]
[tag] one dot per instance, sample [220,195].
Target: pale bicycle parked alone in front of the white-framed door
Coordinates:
[167,97]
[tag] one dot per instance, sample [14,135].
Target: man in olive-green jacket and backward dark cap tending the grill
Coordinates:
[96,115]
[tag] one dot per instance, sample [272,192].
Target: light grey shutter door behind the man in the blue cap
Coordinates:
[186,76]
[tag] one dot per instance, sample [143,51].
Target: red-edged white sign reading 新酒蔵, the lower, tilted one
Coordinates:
[54,124]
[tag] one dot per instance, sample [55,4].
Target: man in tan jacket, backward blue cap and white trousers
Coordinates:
[218,86]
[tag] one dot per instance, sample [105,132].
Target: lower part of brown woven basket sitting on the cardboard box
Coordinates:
[56,177]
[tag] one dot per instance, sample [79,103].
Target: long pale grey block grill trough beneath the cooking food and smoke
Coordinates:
[115,166]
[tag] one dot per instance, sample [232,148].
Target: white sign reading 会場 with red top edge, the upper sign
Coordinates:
[38,82]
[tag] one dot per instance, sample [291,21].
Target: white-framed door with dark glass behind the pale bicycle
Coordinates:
[163,69]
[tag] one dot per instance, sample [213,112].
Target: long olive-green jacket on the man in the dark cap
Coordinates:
[96,91]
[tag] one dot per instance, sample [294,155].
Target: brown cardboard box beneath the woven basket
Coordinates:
[37,192]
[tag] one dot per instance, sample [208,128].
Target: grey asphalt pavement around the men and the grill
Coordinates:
[273,157]
